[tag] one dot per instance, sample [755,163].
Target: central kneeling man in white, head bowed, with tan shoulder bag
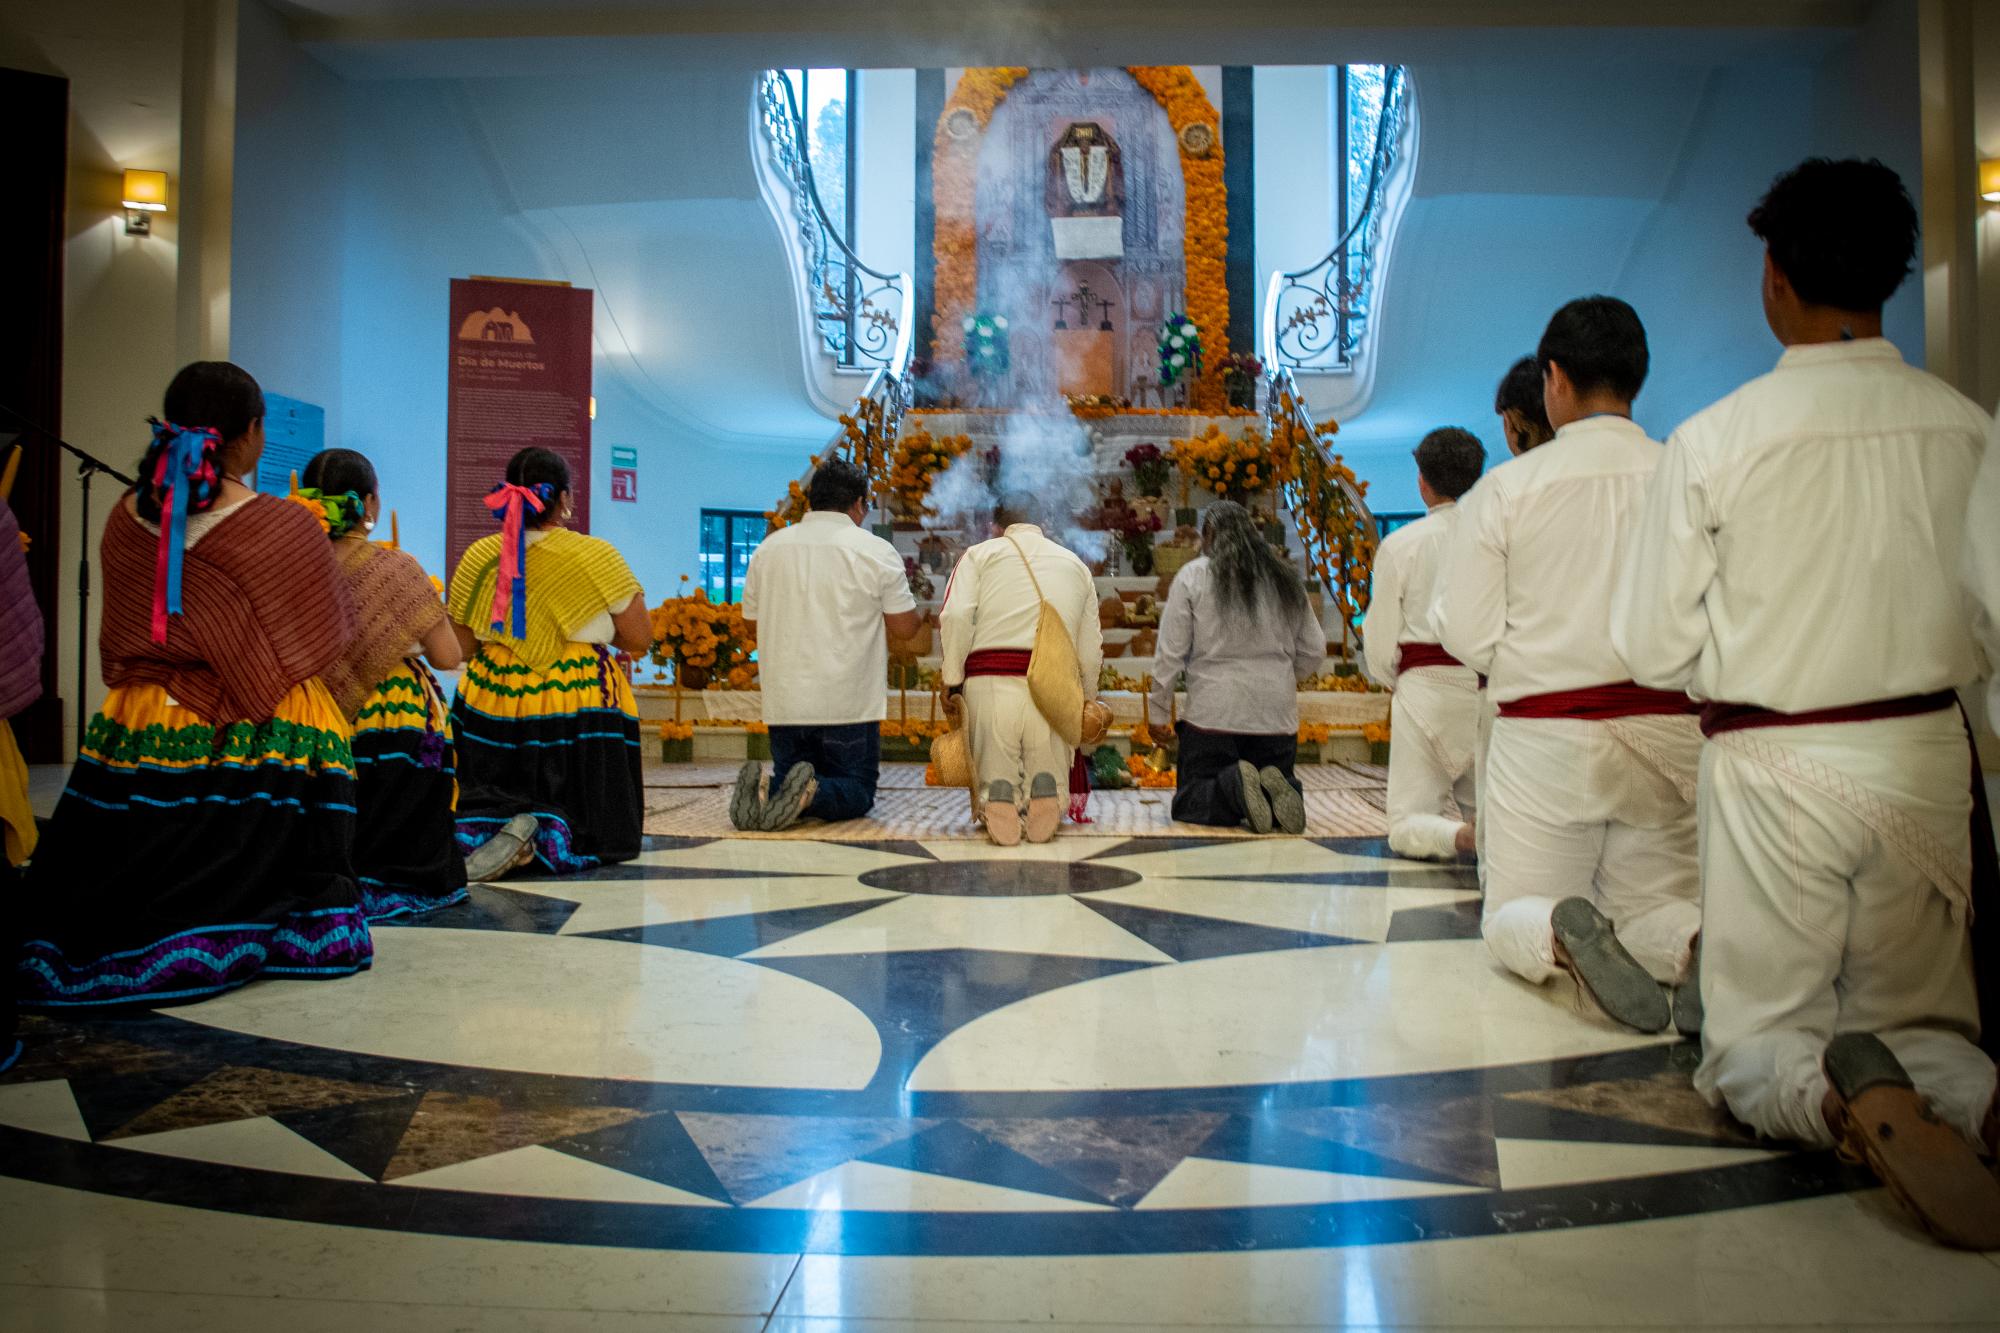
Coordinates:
[989,621]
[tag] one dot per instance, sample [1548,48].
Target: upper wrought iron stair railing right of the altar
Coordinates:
[1315,319]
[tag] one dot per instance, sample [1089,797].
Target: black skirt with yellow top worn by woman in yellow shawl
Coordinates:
[561,746]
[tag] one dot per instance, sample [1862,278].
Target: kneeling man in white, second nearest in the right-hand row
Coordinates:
[1589,812]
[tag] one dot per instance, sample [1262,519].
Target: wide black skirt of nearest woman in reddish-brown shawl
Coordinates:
[187,860]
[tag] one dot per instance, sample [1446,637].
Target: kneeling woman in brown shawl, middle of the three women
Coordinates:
[405,840]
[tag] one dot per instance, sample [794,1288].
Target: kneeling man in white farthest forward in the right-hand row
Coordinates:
[1435,710]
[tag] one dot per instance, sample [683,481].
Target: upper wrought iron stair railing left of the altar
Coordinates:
[863,315]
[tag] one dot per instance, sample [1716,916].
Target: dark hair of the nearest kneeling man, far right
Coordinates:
[1841,233]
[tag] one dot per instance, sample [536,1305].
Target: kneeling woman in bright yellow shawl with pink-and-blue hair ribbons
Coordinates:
[545,720]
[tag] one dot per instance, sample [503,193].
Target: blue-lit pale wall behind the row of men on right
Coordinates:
[1607,173]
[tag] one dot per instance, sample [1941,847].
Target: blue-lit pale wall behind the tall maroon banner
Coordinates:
[371,197]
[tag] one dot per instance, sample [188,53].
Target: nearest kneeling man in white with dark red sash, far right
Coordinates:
[1799,569]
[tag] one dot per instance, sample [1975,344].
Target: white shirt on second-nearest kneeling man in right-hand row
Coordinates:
[1527,587]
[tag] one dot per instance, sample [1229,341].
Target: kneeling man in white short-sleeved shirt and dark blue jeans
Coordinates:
[819,597]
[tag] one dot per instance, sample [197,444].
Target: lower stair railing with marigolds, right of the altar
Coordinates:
[1329,509]
